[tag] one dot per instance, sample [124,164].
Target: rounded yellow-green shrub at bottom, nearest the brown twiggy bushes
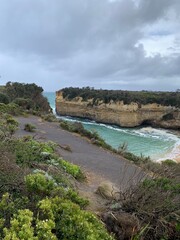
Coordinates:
[72,223]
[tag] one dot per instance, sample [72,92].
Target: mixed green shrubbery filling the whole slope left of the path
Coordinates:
[38,200]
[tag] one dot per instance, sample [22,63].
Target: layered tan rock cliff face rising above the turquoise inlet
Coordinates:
[118,113]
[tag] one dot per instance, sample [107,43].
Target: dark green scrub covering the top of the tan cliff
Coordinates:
[141,97]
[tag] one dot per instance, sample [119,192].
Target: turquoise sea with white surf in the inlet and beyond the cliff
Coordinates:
[156,143]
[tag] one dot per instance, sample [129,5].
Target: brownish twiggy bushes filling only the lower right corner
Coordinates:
[154,203]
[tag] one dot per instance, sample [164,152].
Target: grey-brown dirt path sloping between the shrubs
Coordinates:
[99,164]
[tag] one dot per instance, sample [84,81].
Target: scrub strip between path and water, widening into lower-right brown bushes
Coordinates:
[149,209]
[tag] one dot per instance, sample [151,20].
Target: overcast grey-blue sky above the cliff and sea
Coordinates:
[108,44]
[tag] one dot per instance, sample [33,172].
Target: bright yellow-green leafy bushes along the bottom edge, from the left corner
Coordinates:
[55,218]
